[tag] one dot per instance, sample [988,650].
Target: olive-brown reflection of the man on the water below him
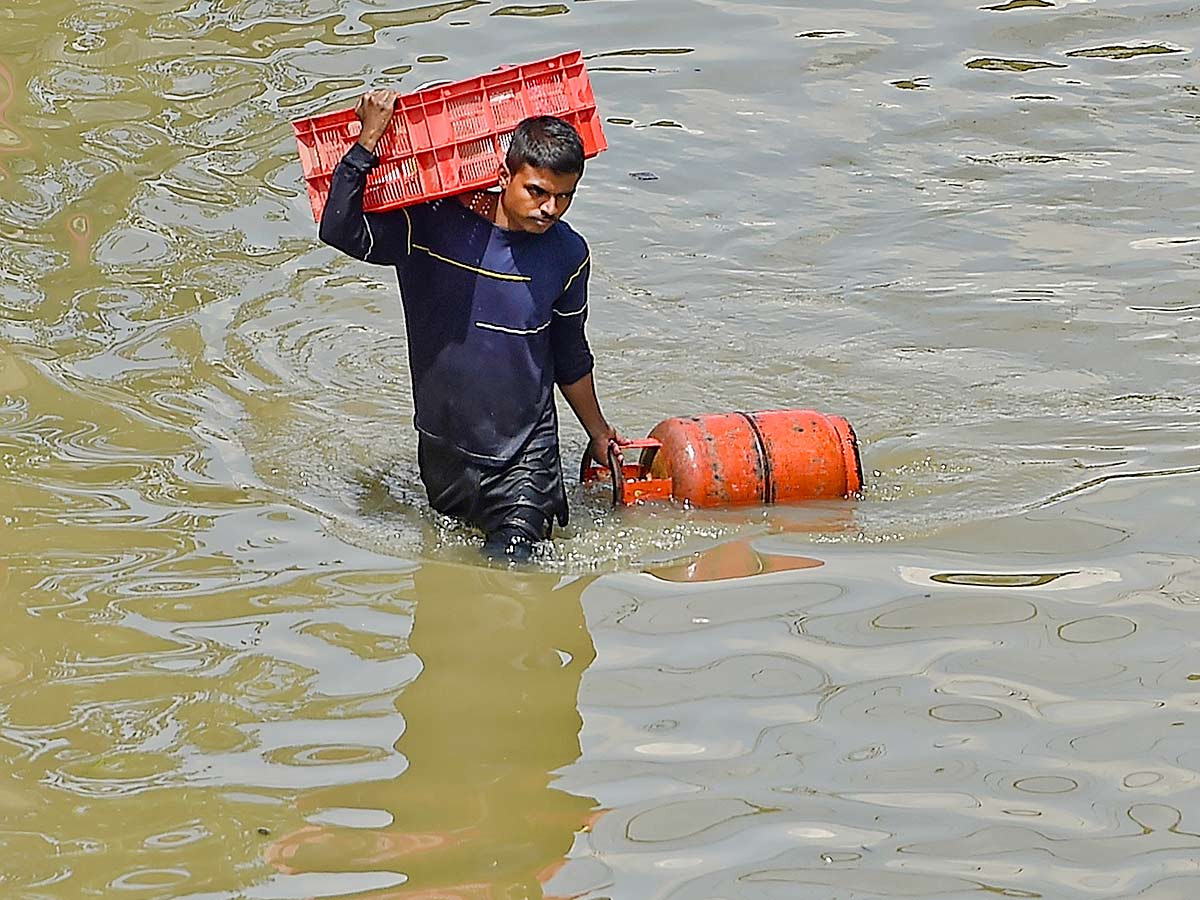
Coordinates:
[490,719]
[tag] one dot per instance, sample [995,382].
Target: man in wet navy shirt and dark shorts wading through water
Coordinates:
[495,296]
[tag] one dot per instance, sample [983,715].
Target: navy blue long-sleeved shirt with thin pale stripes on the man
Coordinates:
[495,317]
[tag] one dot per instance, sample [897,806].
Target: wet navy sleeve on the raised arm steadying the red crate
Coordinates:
[381,238]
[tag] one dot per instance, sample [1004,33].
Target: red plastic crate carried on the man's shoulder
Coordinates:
[451,139]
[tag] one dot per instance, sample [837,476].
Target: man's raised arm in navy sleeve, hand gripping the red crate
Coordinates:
[381,238]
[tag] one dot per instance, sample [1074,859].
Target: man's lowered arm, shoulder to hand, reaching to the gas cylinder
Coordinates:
[574,364]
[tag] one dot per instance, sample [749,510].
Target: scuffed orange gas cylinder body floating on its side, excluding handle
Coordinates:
[773,457]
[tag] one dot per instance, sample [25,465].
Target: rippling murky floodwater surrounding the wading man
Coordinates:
[239,657]
